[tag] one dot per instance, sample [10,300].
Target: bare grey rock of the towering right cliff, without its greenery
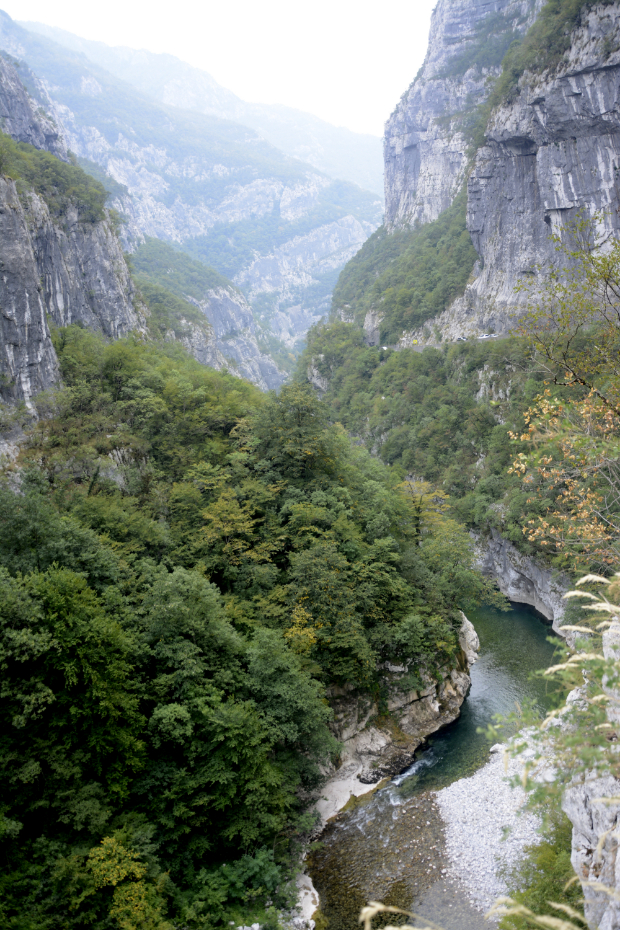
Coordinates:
[553,152]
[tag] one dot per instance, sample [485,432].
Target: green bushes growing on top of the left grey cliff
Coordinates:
[59,184]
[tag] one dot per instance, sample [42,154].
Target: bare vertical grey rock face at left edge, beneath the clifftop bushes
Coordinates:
[73,273]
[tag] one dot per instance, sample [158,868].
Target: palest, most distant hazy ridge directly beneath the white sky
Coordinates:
[338,152]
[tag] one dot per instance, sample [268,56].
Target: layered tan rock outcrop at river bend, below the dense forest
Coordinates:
[374,750]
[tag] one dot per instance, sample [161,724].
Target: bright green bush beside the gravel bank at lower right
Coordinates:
[543,874]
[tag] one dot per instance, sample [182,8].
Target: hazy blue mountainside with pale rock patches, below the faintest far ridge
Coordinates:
[272,224]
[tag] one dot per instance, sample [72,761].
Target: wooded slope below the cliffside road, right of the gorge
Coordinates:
[420,412]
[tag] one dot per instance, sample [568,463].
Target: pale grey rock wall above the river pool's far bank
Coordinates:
[522,579]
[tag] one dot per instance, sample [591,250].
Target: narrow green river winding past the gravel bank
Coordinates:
[390,847]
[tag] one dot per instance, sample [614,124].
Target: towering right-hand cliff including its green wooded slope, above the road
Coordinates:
[505,151]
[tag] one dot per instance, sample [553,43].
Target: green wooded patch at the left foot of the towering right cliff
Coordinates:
[409,276]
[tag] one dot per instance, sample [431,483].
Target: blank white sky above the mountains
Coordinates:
[347,61]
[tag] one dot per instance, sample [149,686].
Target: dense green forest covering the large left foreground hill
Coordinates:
[186,566]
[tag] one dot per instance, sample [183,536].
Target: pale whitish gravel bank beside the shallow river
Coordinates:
[486,828]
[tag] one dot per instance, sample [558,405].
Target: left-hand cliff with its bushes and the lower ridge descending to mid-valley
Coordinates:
[62,263]
